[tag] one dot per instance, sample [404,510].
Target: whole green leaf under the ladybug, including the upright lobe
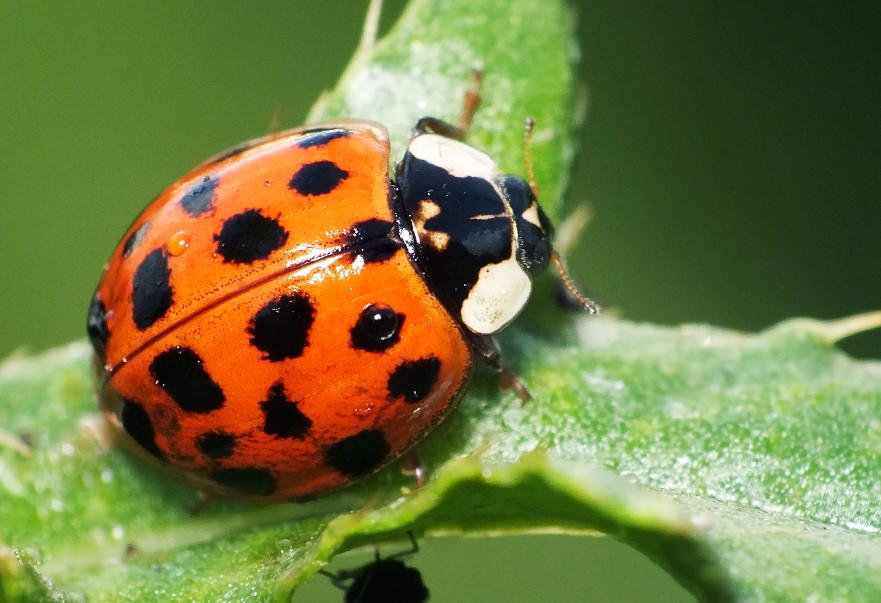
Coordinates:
[746,465]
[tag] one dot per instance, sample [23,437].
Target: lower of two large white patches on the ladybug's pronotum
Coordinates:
[497,297]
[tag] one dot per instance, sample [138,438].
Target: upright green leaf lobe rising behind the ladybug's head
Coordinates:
[525,51]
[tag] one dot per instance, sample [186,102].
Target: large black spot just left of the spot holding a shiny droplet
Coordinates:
[280,329]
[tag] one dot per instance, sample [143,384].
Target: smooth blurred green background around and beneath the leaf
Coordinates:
[731,157]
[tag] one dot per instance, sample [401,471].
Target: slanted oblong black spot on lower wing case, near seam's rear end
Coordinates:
[180,373]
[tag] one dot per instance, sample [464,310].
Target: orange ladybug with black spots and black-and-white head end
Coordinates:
[287,318]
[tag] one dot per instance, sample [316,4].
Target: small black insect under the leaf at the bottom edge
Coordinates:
[383,579]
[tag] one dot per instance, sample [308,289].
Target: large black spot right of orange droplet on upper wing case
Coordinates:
[248,237]
